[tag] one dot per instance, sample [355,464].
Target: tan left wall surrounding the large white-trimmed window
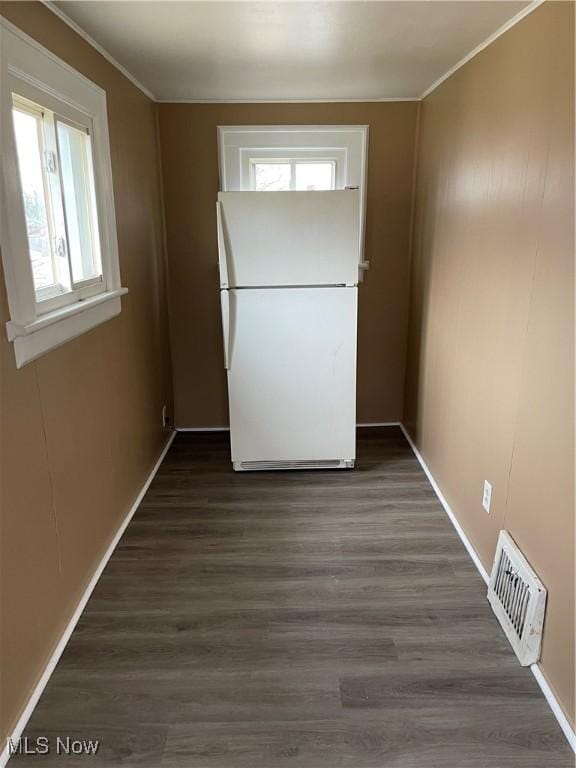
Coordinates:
[81,427]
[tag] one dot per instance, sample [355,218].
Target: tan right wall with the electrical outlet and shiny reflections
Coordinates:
[490,385]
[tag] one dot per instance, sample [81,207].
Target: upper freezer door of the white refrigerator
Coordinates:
[288,238]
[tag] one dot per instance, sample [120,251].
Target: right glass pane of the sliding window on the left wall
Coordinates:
[78,188]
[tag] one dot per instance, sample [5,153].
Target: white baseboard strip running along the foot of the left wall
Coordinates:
[57,653]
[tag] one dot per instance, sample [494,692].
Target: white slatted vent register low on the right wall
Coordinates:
[518,598]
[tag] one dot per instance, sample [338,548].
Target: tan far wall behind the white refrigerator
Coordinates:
[190,163]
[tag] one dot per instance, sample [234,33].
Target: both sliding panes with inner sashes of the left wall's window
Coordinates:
[57,180]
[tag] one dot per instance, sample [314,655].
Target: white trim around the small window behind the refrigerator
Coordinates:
[347,144]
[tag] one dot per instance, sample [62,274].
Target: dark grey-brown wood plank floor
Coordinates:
[323,619]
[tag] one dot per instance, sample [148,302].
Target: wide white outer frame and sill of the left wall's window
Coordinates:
[31,71]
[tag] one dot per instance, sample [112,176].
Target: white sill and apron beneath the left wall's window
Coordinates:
[56,328]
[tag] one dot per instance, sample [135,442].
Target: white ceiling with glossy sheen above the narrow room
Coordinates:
[221,51]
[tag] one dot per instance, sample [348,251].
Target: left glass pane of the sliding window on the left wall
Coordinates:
[28,132]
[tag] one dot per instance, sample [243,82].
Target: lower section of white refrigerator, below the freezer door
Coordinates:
[292,377]
